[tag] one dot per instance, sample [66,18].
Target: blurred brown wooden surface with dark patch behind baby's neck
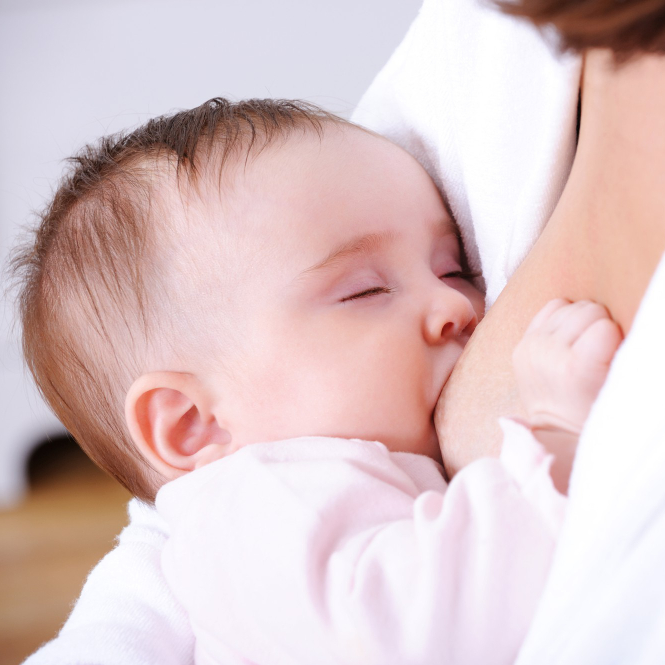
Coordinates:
[48,545]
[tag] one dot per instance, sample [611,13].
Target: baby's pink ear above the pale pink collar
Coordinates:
[170,418]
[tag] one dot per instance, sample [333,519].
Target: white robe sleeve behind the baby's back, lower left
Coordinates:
[126,614]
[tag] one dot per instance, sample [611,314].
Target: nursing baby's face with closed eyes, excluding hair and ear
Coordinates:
[352,304]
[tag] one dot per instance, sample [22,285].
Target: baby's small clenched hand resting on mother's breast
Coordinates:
[562,361]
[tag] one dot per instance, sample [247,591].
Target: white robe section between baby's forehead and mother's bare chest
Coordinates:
[490,109]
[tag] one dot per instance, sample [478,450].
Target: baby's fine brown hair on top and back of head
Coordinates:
[87,297]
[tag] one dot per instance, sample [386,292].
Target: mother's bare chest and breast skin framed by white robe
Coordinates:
[603,242]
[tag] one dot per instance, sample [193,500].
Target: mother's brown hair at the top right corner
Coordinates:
[627,27]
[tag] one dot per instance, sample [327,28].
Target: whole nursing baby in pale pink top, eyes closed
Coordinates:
[265,273]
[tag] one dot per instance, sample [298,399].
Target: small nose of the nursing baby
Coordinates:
[451,315]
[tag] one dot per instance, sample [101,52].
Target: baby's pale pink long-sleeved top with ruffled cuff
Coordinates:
[338,552]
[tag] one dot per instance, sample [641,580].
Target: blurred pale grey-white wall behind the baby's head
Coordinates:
[72,70]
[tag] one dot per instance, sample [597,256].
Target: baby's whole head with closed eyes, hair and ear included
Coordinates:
[237,273]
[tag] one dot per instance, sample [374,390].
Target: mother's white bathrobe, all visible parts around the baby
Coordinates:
[490,110]
